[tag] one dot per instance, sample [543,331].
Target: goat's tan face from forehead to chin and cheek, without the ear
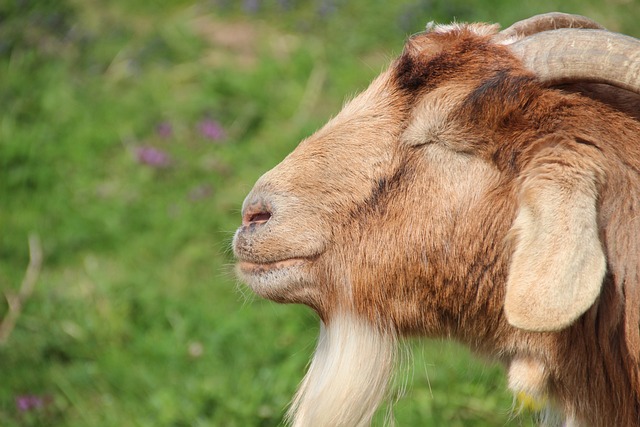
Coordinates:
[379,210]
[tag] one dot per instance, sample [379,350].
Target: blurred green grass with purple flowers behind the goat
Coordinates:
[130,133]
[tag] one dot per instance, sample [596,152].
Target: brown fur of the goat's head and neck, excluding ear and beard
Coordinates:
[413,219]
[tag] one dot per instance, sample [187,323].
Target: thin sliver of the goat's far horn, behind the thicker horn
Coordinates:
[545,22]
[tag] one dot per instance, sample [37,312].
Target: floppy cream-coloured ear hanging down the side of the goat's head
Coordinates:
[558,264]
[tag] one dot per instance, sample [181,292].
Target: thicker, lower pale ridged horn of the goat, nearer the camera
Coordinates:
[569,55]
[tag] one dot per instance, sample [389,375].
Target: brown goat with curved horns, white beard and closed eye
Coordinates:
[486,188]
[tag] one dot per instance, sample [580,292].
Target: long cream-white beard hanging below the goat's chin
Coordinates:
[348,376]
